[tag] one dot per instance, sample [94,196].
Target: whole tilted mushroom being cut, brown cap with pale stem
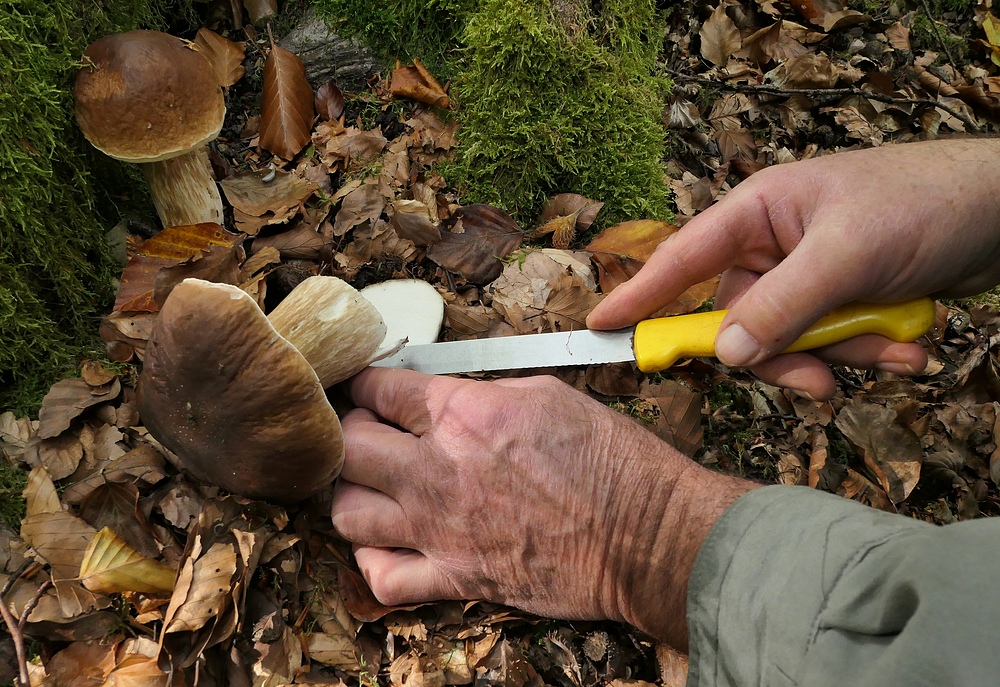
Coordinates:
[237,396]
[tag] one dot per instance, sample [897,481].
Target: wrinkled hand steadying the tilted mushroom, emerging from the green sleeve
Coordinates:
[523,492]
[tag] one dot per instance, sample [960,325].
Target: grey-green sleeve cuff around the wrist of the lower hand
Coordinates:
[763,575]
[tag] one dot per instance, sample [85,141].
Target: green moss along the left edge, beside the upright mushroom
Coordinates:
[55,272]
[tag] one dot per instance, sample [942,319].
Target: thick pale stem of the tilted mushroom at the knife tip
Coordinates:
[331,325]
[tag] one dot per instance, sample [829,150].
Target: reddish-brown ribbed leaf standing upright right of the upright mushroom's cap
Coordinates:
[286,113]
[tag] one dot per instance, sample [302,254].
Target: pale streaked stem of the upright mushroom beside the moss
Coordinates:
[184,189]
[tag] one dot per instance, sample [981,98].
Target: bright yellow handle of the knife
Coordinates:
[661,342]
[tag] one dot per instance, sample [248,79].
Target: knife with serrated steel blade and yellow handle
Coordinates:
[653,344]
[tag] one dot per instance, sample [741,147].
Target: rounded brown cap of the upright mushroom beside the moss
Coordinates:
[147,96]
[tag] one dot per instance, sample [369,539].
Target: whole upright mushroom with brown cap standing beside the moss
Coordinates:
[151,98]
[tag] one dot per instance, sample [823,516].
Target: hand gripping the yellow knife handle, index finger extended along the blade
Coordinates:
[795,241]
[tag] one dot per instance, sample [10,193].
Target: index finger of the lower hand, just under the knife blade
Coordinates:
[398,396]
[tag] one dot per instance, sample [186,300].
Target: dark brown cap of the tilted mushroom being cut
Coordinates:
[239,406]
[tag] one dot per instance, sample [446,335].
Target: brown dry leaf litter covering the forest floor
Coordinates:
[130,573]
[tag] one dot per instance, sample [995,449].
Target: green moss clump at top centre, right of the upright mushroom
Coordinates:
[552,97]
